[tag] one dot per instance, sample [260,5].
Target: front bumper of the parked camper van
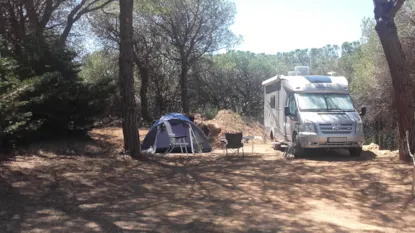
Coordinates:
[312,140]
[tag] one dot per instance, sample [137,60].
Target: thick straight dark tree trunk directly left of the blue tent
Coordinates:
[128,103]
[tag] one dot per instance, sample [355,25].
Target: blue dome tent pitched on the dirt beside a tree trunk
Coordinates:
[180,127]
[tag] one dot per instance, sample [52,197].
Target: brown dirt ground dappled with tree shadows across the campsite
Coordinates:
[85,186]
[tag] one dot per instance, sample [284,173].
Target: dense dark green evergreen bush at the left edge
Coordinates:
[44,95]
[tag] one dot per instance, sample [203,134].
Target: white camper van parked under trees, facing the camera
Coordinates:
[312,111]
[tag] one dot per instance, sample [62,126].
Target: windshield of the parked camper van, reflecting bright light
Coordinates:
[325,102]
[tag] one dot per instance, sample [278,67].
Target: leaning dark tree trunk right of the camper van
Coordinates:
[402,84]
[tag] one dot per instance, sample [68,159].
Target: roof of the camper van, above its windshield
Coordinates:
[311,83]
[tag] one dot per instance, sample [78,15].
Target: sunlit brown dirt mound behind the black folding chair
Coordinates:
[226,121]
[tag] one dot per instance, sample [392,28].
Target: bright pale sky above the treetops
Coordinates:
[271,26]
